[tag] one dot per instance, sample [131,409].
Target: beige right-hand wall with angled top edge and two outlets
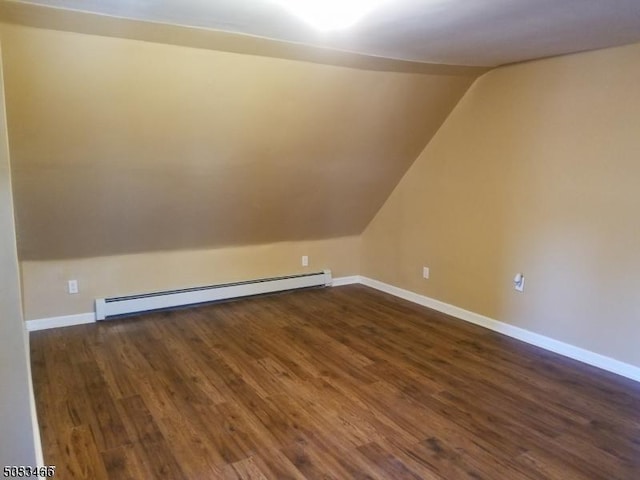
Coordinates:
[535,171]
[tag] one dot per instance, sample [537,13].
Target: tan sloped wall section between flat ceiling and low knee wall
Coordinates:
[121,146]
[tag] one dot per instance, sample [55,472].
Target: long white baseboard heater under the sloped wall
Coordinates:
[108,307]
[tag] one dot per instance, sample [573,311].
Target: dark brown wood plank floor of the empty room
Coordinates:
[334,383]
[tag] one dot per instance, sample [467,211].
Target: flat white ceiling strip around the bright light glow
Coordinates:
[454,32]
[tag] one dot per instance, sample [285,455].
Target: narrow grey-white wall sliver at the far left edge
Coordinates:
[17,446]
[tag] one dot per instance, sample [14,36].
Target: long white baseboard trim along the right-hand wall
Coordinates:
[591,358]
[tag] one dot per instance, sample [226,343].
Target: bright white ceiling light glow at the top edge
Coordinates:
[330,14]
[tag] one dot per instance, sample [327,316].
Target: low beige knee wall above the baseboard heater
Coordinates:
[45,282]
